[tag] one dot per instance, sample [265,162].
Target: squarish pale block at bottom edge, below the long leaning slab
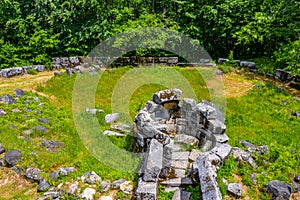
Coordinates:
[146,190]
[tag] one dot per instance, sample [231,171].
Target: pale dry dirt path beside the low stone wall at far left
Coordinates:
[25,82]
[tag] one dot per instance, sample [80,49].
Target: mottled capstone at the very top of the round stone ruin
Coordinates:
[167,95]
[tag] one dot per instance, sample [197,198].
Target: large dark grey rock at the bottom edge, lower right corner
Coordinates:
[279,190]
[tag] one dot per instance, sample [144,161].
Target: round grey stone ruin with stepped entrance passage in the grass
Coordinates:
[164,129]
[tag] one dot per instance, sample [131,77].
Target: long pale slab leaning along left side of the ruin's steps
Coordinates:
[153,162]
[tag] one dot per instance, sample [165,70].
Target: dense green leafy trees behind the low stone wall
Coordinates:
[33,31]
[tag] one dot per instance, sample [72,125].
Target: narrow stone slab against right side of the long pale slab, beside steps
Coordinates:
[167,159]
